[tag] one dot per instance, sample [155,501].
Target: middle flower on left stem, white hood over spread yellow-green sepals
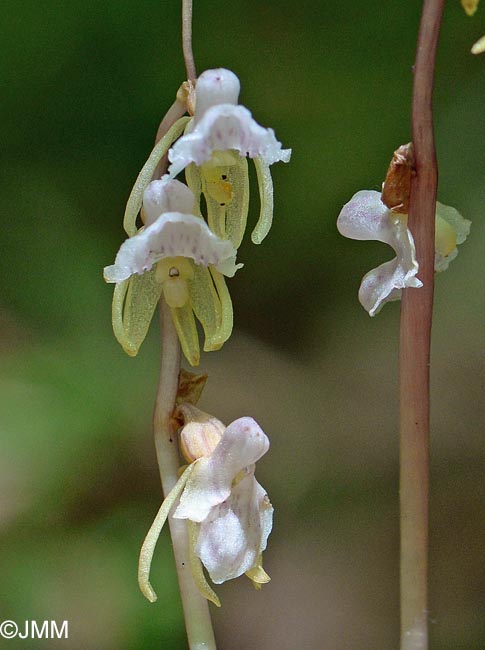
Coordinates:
[175,255]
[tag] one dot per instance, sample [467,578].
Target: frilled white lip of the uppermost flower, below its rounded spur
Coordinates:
[221,128]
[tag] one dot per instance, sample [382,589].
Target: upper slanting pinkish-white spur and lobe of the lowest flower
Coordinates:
[242,444]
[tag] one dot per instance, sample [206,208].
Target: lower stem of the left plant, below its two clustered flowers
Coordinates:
[196,610]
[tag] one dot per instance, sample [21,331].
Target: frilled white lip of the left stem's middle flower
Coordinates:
[173,234]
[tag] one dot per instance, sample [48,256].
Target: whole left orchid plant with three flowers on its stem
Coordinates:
[179,251]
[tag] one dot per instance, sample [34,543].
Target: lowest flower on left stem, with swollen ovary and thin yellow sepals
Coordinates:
[228,513]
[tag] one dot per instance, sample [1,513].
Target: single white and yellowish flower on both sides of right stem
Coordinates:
[365,217]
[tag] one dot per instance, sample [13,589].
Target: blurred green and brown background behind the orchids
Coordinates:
[84,86]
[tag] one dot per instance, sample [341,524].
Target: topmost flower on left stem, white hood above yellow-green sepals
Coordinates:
[213,153]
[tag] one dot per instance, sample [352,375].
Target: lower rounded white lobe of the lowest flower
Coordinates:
[235,533]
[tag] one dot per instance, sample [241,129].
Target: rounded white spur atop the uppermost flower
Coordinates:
[219,86]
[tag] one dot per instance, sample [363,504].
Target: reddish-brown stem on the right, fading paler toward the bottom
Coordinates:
[415,339]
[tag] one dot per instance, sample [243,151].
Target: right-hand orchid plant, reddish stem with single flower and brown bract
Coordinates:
[424,235]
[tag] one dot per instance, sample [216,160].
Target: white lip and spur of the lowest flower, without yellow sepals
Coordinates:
[230,506]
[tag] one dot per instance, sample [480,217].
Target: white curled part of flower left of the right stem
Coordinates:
[365,217]
